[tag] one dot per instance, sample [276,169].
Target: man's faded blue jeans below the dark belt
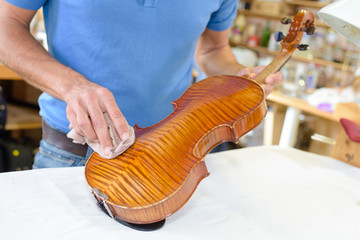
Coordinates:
[52,157]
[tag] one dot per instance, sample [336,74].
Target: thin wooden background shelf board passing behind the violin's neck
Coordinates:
[296,58]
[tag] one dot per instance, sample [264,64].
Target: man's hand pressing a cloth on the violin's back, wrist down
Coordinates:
[85,110]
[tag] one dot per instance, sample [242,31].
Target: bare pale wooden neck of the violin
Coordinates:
[273,67]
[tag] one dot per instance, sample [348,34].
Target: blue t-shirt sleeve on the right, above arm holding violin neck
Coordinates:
[223,18]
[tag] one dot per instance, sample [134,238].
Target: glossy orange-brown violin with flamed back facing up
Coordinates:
[157,175]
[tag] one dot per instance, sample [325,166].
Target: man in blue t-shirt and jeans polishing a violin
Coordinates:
[127,58]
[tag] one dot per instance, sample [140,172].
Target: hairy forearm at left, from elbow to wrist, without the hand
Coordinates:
[20,51]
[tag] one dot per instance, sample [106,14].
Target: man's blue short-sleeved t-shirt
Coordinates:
[141,50]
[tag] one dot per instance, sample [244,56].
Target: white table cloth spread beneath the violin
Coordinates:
[251,193]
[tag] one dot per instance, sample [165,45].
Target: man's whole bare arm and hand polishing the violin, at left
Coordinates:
[85,100]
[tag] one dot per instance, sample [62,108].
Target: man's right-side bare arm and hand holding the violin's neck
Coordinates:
[215,57]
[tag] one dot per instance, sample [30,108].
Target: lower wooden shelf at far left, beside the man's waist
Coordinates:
[19,117]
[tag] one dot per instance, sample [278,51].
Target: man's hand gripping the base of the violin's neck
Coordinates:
[270,81]
